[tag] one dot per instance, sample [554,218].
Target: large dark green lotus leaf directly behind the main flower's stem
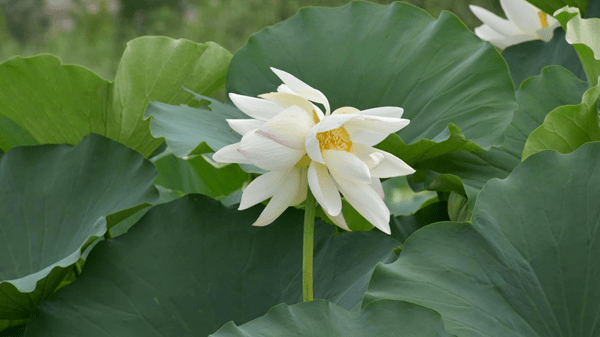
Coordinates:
[192,265]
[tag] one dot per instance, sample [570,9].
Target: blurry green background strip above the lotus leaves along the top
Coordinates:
[93,33]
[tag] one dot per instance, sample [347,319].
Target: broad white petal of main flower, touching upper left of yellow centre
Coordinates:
[289,127]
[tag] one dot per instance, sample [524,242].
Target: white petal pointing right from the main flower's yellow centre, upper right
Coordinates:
[372,130]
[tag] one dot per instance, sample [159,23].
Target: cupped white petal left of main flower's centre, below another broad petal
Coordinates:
[268,154]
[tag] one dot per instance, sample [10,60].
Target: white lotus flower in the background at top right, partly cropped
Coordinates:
[525,23]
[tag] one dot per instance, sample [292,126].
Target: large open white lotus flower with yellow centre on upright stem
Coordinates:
[301,146]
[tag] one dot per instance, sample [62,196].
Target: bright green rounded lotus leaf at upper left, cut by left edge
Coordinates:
[55,103]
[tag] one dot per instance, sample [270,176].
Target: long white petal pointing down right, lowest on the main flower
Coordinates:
[367,202]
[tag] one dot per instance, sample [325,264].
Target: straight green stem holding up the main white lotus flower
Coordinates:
[307,254]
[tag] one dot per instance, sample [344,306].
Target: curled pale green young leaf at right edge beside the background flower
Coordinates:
[583,35]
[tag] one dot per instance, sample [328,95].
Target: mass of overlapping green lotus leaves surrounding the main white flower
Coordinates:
[116,221]
